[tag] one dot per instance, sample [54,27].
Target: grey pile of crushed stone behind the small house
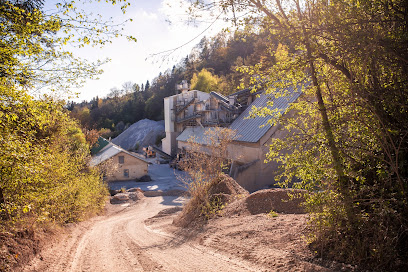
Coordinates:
[141,134]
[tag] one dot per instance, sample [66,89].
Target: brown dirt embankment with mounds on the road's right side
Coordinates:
[268,228]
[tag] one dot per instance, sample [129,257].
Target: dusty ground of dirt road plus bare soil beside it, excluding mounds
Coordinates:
[140,236]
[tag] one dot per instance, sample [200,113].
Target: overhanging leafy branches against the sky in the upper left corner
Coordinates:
[33,43]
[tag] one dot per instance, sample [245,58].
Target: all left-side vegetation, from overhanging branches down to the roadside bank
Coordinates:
[45,180]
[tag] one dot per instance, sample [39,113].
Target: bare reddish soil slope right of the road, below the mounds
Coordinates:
[273,243]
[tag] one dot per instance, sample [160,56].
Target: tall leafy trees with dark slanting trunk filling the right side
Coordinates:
[346,138]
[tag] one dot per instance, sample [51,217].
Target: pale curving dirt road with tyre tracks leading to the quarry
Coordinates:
[122,241]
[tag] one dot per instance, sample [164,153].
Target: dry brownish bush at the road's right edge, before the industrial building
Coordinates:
[205,164]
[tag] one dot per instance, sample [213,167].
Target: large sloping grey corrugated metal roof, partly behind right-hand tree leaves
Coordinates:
[252,129]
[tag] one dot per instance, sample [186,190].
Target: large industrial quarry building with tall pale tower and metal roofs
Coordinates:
[191,113]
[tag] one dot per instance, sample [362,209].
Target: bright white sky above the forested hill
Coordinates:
[133,61]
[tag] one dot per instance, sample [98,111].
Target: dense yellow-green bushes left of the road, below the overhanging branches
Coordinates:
[44,155]
